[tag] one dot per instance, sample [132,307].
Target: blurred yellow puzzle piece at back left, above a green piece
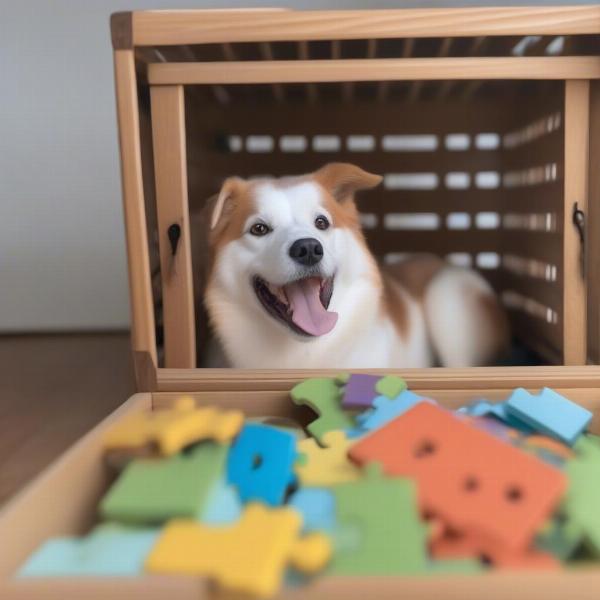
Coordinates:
[173,429]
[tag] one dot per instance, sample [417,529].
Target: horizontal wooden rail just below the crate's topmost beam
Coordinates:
[384,69]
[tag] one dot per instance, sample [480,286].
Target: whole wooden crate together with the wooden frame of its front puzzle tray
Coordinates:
[497,110]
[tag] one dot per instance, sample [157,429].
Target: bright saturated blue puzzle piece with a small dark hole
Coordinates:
[261,463]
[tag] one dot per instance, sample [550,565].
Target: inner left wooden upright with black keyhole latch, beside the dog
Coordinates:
[170,168]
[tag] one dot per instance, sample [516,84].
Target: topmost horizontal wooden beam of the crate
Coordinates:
[216,26]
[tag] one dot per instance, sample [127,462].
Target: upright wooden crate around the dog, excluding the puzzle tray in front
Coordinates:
[481,120]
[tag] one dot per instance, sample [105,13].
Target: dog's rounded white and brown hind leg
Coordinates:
[467,326]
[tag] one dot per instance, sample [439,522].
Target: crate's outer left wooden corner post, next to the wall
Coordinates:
[143,337]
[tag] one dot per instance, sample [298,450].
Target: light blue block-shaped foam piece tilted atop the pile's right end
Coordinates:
[549,413]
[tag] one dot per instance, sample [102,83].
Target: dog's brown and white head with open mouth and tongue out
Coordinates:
[280,245]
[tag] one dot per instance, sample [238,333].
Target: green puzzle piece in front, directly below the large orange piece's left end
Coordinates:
[383,513]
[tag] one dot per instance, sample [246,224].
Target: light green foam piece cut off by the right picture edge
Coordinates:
[582,500]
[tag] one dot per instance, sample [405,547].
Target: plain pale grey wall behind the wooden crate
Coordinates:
[62,254]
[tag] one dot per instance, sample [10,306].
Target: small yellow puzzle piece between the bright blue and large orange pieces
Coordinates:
[329,465]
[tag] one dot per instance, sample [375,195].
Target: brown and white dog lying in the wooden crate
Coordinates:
[293,285]
